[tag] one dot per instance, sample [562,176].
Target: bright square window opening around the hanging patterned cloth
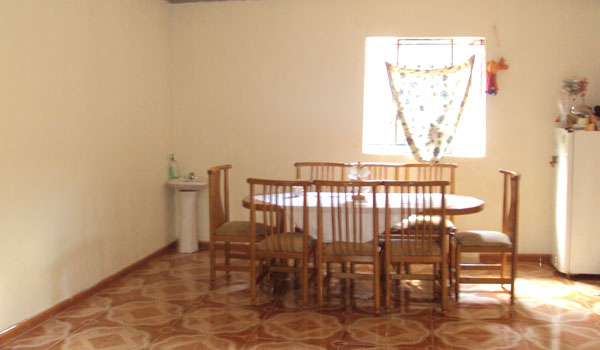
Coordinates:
[382,132]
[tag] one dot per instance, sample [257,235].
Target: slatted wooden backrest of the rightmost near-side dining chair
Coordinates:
[419,201]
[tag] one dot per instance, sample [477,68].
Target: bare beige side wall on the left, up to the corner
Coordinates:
[85,134]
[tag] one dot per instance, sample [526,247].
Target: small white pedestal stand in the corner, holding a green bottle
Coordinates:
[188,194]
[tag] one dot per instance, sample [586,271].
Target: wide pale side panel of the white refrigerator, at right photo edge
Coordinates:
[585,231]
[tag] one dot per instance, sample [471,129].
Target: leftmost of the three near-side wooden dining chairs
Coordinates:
[280,241]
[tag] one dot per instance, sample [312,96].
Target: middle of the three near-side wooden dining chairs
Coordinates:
[340,211]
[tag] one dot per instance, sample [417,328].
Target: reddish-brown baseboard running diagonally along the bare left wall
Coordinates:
[26,325]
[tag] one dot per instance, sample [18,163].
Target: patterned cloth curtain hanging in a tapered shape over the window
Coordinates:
[430,103]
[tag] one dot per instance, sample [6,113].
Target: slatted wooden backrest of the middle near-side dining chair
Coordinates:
[341,209]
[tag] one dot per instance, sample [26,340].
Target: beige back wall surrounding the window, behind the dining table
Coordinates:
[262,84]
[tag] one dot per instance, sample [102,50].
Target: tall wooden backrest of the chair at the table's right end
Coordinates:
[510,203]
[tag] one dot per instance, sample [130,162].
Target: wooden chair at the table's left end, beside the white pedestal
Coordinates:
[225,234]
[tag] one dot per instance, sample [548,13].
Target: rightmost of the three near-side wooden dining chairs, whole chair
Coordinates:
[425,243]
